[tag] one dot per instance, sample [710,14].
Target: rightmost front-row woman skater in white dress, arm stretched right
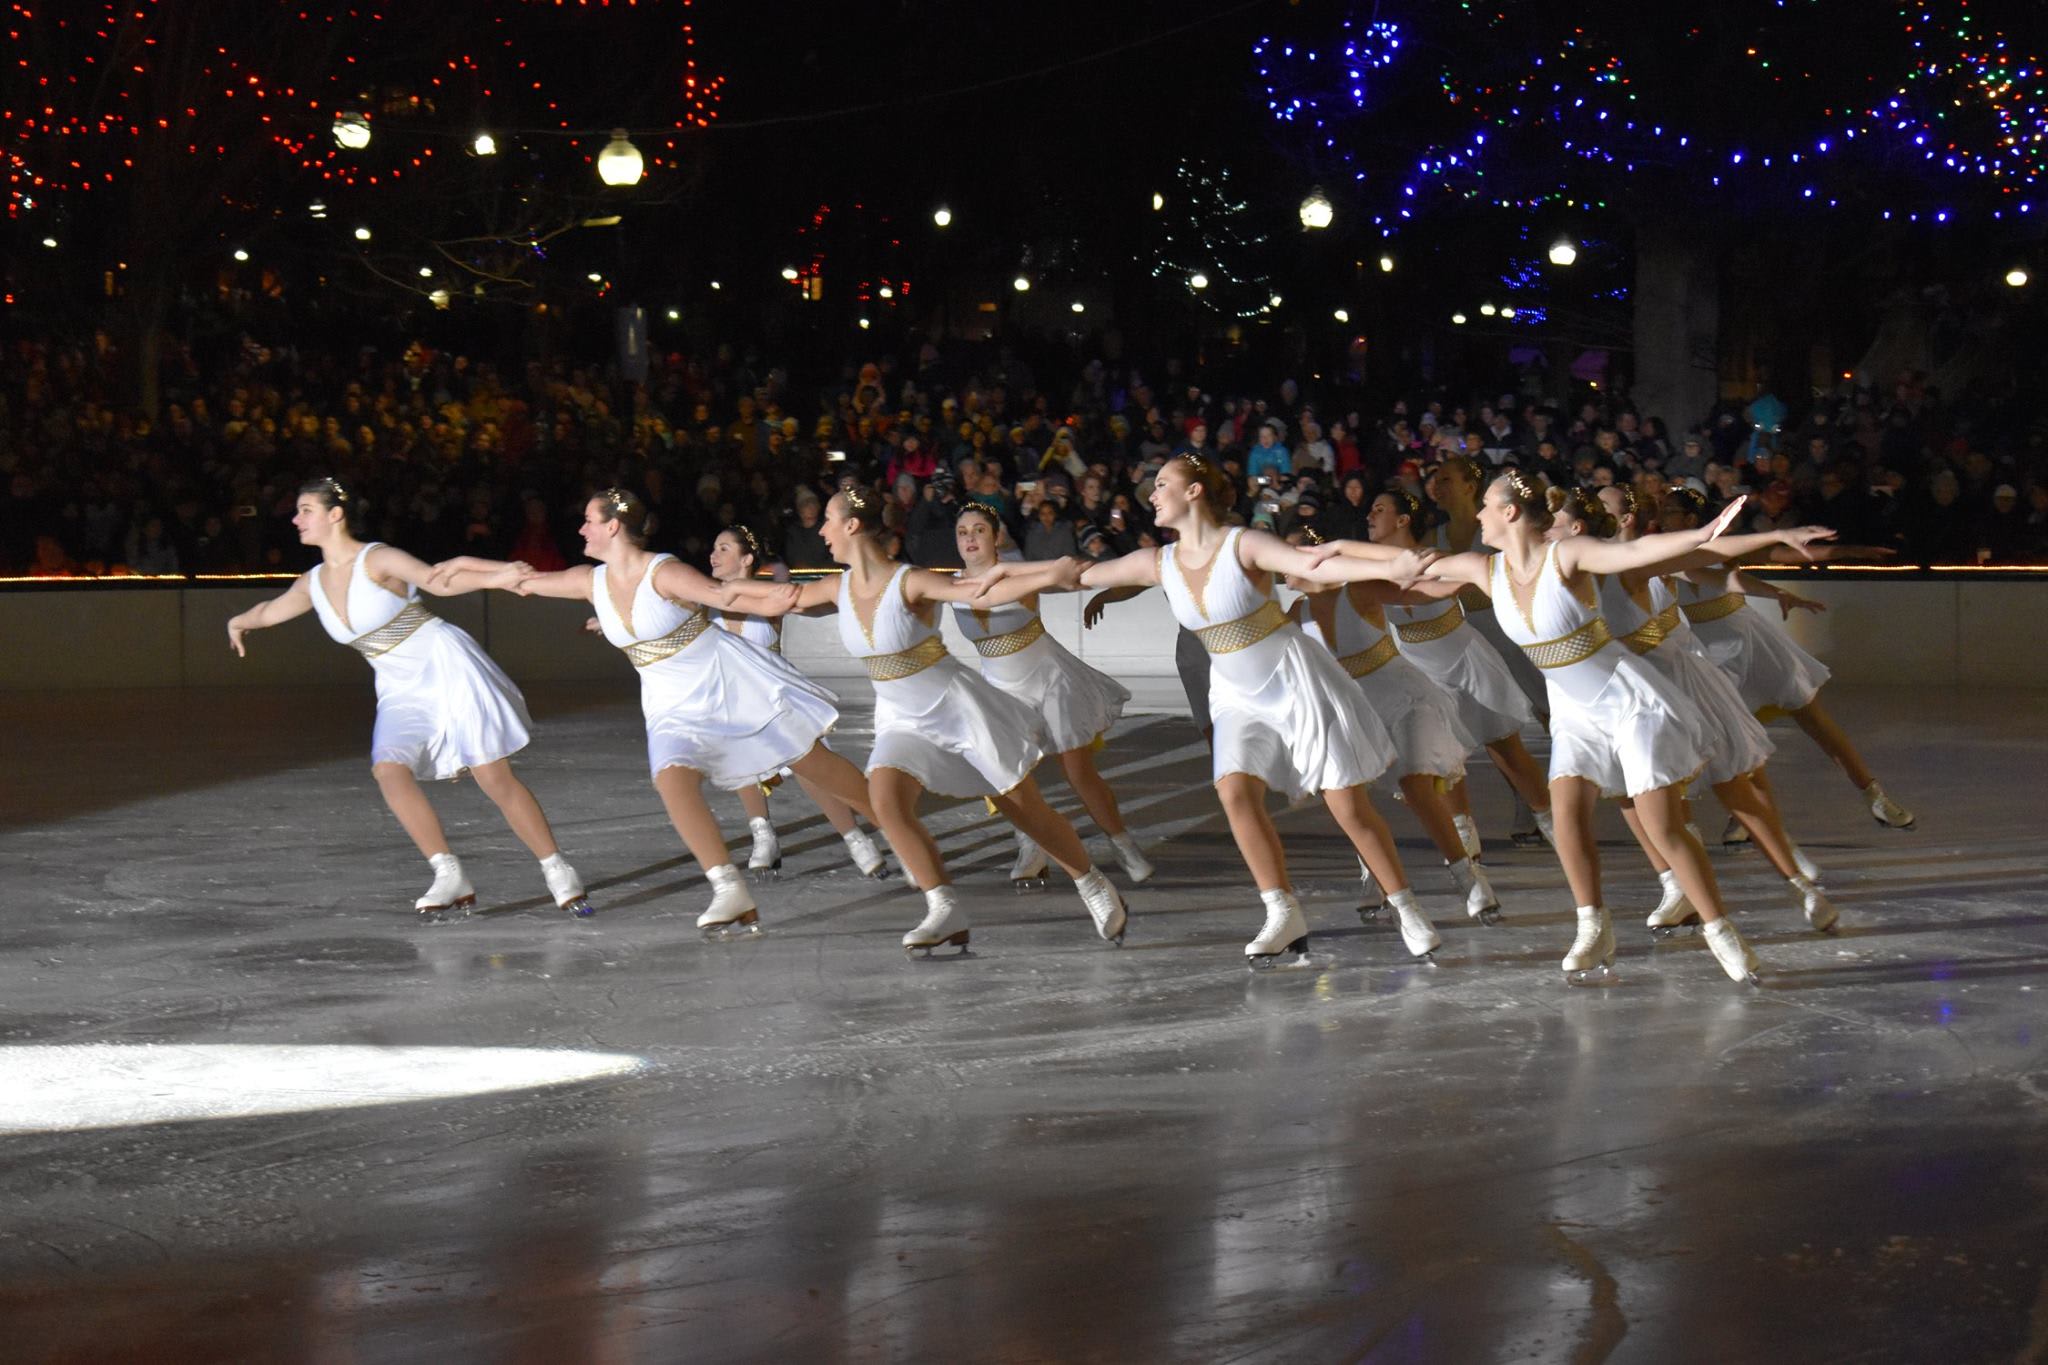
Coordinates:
[1617,723]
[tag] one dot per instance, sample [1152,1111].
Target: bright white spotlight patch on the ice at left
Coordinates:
[71,1088]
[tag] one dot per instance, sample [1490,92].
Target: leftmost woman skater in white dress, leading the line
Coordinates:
[443,707]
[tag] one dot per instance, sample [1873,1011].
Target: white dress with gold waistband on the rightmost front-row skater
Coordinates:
[1615,719]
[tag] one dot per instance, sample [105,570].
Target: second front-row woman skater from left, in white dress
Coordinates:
[720,711]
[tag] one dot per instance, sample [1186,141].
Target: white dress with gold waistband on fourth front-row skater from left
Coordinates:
[1285,713]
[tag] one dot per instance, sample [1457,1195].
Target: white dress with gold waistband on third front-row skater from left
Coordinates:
[935,717]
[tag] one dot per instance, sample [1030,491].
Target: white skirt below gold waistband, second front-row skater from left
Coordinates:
[732,711]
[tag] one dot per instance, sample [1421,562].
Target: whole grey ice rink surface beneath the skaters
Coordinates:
[812,1149]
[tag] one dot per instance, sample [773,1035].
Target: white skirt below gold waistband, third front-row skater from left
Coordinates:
[955,732]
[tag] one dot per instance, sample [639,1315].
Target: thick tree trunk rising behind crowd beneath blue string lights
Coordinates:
[1676,326]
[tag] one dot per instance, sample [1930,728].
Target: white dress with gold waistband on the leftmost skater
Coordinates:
[443,705]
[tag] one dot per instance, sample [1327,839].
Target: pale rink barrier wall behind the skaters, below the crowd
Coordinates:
[1924,629]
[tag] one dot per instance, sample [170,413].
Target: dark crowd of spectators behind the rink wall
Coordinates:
[445,455]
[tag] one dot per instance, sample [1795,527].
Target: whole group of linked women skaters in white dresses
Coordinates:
[1650,674]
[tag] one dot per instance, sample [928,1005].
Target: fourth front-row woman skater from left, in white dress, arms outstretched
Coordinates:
[1285,715]
